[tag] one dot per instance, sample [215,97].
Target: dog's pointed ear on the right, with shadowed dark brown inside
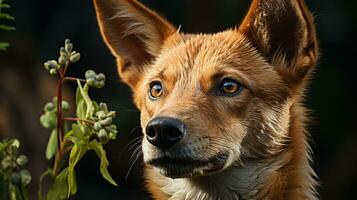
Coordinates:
[284,33]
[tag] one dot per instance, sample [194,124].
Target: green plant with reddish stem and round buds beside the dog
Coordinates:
[90,129]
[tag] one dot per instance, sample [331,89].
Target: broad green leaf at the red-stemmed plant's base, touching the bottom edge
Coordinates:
[59,188]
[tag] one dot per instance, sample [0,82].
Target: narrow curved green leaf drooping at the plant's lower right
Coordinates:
[98,148]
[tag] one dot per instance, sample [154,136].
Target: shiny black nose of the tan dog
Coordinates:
[165,132]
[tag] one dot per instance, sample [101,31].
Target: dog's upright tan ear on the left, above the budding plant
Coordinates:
[133,33]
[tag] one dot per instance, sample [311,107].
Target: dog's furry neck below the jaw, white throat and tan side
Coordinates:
[284,176]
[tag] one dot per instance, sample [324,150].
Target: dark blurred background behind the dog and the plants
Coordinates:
[42,26]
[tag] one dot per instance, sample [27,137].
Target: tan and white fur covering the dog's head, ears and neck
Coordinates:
[260,131]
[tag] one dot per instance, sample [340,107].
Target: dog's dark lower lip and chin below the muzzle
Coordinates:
[176,167]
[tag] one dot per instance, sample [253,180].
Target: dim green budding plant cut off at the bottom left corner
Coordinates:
[13,178]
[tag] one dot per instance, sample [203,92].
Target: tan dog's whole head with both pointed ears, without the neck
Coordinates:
[208,101]
